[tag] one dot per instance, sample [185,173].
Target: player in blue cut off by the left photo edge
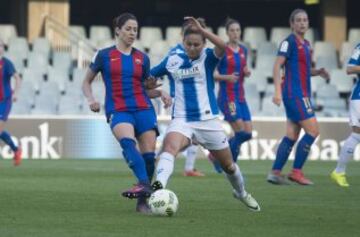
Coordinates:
[7,96]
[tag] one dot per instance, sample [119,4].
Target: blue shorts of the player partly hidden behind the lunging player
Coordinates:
[234,110]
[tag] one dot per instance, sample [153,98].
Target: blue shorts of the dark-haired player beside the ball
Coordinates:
[142,120]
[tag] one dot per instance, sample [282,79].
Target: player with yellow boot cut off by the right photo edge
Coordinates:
[347,151]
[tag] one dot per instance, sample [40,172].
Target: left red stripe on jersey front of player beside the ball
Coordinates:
[116,80]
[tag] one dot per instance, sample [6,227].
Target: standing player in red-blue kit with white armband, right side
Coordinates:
[294,56]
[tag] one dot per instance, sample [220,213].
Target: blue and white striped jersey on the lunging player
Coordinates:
[194,98]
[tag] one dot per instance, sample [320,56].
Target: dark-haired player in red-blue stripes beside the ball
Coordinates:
[128,108]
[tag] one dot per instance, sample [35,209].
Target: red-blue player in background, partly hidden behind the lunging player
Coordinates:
[232,70]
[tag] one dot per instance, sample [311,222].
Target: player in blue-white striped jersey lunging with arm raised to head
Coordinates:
[195,111]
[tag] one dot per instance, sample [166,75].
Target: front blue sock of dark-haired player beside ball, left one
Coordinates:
[134,159]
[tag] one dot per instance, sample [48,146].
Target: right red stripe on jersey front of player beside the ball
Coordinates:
[138,61]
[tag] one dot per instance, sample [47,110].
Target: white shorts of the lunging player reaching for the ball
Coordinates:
[208,133]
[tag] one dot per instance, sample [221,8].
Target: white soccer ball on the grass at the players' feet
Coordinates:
[163,202]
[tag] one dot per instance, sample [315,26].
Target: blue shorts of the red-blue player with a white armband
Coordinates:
[298,109]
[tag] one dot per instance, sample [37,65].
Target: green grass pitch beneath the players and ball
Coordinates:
[81,198]
